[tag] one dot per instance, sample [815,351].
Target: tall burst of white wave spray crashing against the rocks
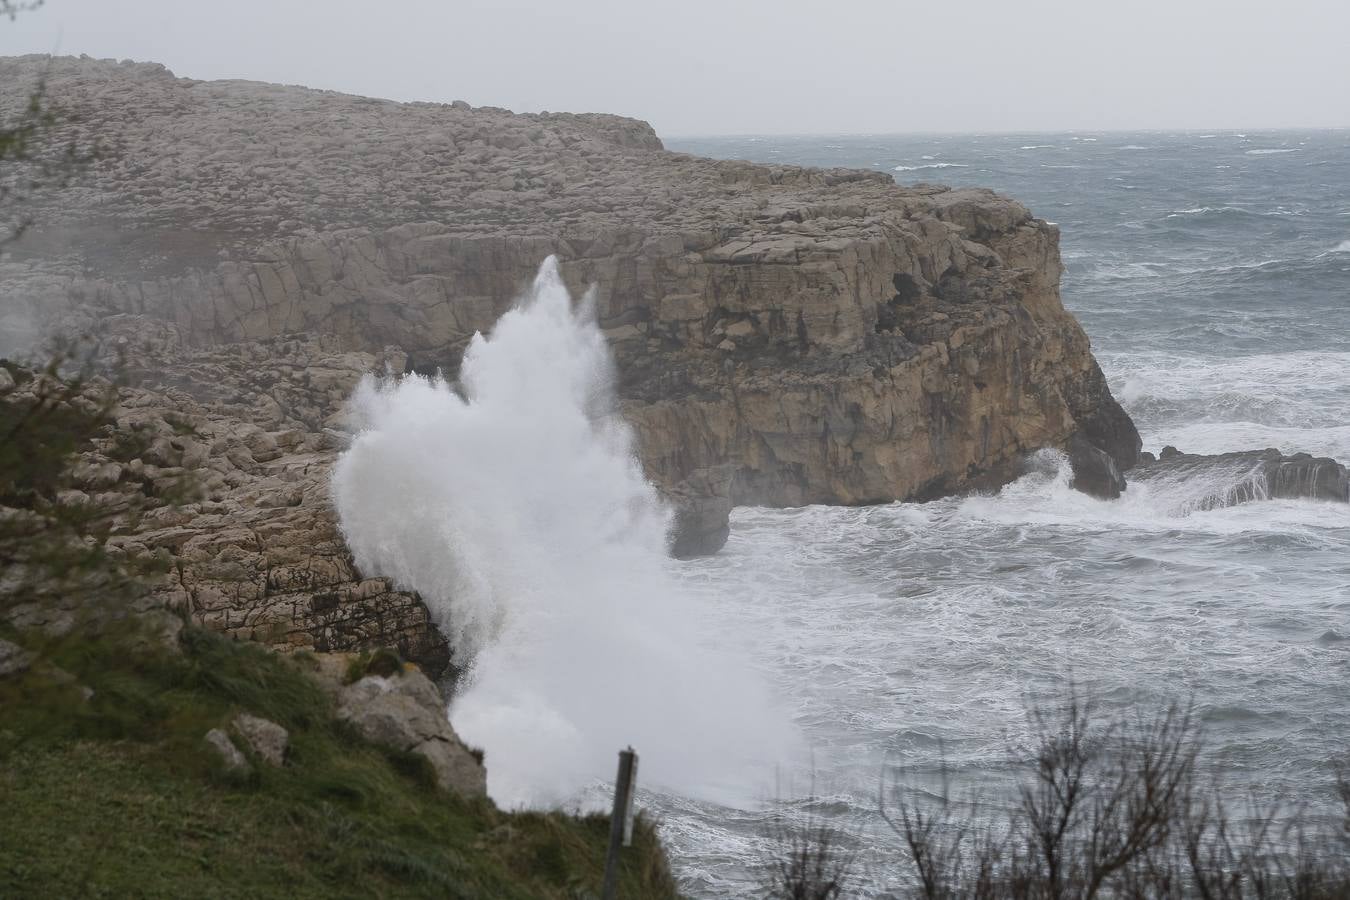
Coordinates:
[516,507]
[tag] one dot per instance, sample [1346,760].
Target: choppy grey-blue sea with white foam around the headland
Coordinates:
[1213,276]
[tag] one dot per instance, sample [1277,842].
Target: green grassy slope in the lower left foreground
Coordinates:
[118,795]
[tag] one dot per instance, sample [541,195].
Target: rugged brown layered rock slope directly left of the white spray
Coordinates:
[221,459]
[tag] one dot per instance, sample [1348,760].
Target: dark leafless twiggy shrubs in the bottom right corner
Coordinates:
[1114,809]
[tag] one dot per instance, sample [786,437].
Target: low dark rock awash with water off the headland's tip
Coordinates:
[1201,482]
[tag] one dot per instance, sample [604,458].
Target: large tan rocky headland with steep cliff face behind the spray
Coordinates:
[784,335]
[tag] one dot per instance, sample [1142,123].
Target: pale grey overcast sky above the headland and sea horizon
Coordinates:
[762,67]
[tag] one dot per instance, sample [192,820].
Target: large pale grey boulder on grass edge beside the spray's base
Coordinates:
[406,712]
